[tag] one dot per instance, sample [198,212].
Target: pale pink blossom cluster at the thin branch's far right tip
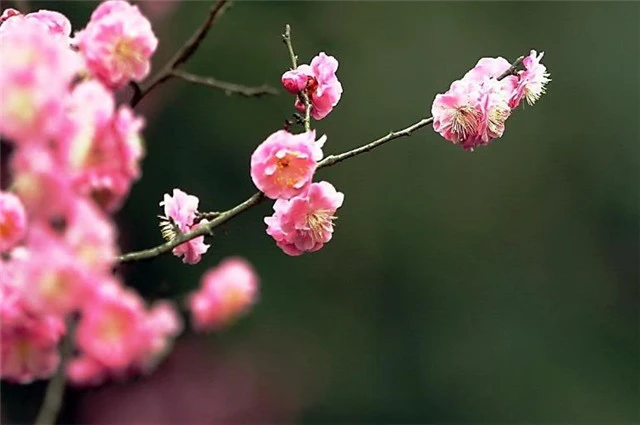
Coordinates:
[474,110]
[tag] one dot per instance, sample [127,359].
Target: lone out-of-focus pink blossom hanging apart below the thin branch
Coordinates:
[226,292]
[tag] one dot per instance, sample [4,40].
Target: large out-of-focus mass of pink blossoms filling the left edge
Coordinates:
[73,157]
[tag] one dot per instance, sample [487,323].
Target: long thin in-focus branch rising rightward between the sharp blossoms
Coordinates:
[258,197]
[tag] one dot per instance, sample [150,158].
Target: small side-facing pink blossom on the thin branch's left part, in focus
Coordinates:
[180,213]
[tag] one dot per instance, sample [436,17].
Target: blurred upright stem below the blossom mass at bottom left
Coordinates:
[55,389]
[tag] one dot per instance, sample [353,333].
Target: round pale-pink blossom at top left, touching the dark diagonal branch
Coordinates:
[117,43]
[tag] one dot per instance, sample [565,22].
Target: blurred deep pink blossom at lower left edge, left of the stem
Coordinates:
[28,339]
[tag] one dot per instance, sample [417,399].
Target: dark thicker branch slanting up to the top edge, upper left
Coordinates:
[182,55]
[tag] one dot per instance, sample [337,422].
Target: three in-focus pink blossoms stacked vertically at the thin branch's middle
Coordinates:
[283,165]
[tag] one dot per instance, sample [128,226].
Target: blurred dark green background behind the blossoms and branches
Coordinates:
[499,286]
